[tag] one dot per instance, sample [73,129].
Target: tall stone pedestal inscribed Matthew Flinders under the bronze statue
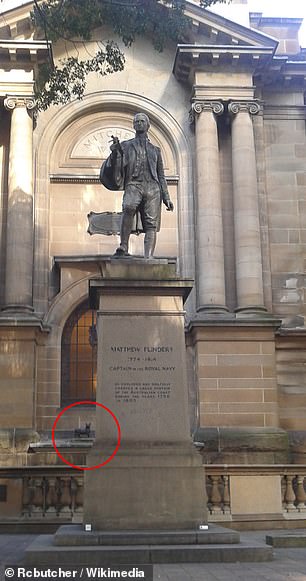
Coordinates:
[156,480]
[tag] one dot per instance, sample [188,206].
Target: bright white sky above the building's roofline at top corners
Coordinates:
[280,8]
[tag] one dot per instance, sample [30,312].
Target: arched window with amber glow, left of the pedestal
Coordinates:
[79,356]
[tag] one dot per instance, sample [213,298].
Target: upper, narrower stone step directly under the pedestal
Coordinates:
[74,535]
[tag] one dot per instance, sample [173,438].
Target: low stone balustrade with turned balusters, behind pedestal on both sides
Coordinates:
[56,494]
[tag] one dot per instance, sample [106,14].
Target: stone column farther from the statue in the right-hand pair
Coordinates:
[249,277]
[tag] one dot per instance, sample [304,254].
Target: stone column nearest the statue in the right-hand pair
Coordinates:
[209,229]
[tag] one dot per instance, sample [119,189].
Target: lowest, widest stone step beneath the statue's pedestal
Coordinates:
[44,552]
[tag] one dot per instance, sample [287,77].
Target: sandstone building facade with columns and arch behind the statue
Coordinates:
[228,111]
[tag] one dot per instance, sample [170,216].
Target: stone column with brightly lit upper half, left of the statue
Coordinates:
[19,243]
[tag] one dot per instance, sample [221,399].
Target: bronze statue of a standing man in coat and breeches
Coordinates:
[136,167]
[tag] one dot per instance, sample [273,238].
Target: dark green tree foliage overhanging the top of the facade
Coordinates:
[75,20]
